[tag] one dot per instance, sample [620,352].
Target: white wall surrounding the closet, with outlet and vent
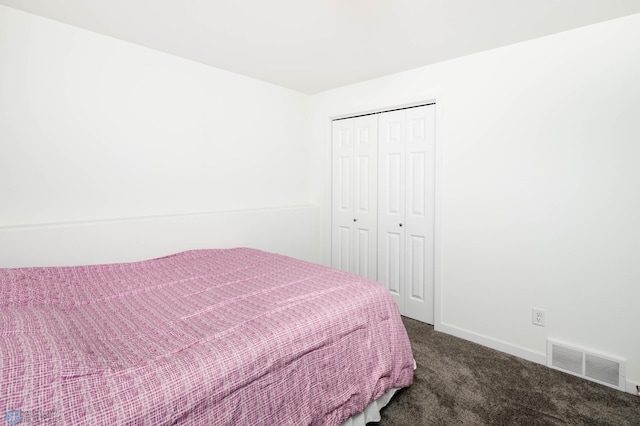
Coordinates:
[540,187]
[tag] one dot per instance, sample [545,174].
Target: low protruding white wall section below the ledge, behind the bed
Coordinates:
[128,240]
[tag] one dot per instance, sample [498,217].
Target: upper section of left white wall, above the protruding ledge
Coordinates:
[96,128]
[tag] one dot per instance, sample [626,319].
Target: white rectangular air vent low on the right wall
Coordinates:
[604,369]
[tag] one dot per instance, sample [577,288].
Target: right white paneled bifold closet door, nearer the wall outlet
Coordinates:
[406,185]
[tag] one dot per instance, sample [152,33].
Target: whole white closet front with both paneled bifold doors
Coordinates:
[383,194]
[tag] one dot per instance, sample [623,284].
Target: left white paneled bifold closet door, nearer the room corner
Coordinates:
[354,195]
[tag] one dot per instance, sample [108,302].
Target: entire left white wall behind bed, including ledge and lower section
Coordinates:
[94,130]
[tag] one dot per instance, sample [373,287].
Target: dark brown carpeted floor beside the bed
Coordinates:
[461,383]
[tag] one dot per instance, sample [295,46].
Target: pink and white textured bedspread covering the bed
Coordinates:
[203,337]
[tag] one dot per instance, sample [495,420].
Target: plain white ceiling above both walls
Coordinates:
[315,45]
